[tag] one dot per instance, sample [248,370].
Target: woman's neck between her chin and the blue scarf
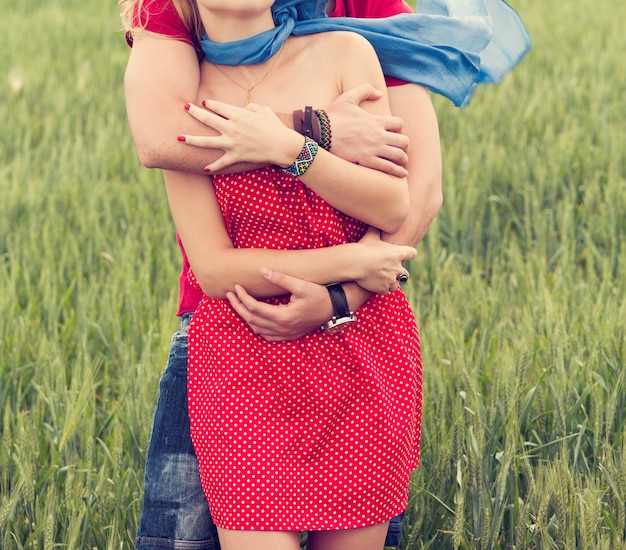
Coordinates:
[232,24]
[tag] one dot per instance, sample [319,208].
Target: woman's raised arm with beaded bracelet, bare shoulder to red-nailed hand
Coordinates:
[254,133]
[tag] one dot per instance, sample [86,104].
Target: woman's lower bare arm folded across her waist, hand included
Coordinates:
[218,266]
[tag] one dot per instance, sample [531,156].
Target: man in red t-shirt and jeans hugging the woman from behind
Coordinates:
[163,75]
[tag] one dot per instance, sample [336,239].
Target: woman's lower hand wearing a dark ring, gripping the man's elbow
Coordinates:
[382,263]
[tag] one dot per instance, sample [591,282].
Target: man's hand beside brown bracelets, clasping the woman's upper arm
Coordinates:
[371,140]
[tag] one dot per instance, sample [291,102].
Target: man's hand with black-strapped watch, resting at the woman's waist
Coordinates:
[309,307]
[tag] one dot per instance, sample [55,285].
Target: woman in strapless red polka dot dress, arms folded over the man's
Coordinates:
[318,434]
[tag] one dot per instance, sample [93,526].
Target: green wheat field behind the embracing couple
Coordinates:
[519,290]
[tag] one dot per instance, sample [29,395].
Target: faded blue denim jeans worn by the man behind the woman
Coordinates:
[175,512]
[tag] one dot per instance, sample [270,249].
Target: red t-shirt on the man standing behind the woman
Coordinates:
[161,17]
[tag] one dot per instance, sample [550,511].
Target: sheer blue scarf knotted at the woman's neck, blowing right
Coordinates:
[449,46]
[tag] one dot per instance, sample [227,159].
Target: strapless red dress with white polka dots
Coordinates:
[319,433]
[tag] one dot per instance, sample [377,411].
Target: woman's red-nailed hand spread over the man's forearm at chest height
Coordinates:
[244,135]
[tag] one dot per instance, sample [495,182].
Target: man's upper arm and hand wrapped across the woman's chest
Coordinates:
[163,75]
